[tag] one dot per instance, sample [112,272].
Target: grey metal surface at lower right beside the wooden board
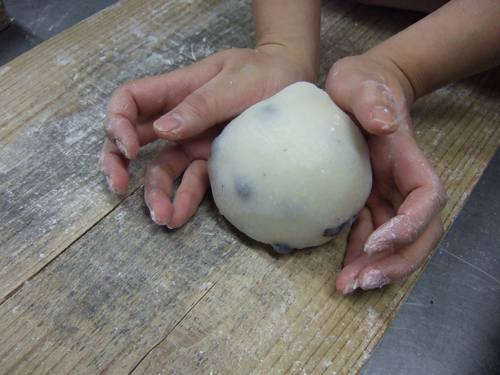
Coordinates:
[450,323]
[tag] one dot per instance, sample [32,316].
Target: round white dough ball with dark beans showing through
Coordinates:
[291,171]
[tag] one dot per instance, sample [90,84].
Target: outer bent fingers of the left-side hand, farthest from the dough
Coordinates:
[131,114]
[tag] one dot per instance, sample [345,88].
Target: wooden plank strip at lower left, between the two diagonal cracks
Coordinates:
[113,295]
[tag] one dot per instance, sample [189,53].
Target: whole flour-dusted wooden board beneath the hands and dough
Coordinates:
[89,284]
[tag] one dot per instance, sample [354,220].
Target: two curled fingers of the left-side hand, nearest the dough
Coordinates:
[165,168]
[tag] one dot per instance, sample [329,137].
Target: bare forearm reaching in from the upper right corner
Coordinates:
[455,41]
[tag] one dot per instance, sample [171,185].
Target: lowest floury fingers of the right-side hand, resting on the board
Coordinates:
[374,271]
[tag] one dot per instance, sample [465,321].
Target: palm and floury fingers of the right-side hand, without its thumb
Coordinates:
[400,224]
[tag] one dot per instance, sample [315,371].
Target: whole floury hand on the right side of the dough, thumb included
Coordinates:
[400,224]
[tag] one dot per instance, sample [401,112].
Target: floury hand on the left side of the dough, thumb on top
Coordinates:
[180,106]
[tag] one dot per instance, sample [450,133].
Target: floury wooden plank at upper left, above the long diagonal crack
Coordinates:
[52,109]
